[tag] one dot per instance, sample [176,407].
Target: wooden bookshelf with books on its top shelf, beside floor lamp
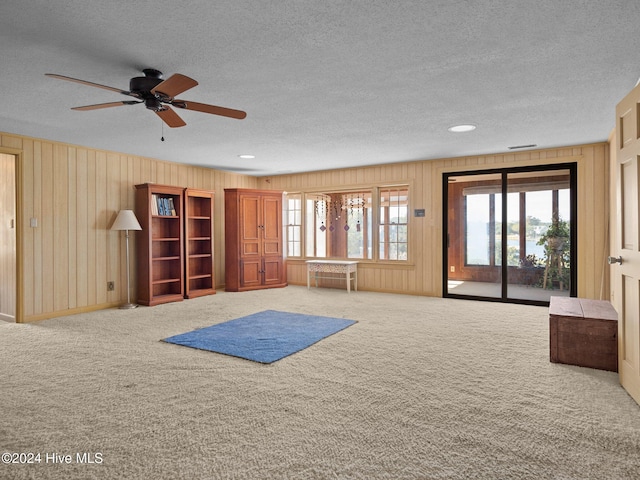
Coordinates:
[160,257]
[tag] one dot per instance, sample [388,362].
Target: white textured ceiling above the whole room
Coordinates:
[325,84]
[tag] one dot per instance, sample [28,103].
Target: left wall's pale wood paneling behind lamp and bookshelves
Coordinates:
[74,194]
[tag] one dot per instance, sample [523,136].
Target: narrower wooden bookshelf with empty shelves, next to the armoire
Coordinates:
[199,260]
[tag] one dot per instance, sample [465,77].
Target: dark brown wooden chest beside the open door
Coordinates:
[583,332]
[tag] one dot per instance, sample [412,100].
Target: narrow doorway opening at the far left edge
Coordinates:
[8,253]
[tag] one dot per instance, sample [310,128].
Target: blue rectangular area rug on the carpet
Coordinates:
[263,337]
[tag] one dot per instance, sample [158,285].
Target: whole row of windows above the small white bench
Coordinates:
[343,224]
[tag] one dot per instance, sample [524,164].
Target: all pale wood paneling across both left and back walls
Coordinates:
[74,194]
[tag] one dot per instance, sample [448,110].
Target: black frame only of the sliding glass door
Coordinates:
[504,173]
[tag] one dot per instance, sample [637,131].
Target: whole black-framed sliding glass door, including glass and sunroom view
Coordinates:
[509,234]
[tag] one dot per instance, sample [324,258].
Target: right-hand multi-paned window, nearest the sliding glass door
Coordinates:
[394,217]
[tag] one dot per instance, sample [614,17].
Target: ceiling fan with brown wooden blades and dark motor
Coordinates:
[157,95]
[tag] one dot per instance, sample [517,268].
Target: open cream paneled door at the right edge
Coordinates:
[625,244]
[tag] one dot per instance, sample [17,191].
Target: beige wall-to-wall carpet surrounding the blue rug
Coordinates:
[420,388]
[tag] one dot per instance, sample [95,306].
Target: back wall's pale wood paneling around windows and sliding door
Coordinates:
[423,274]
